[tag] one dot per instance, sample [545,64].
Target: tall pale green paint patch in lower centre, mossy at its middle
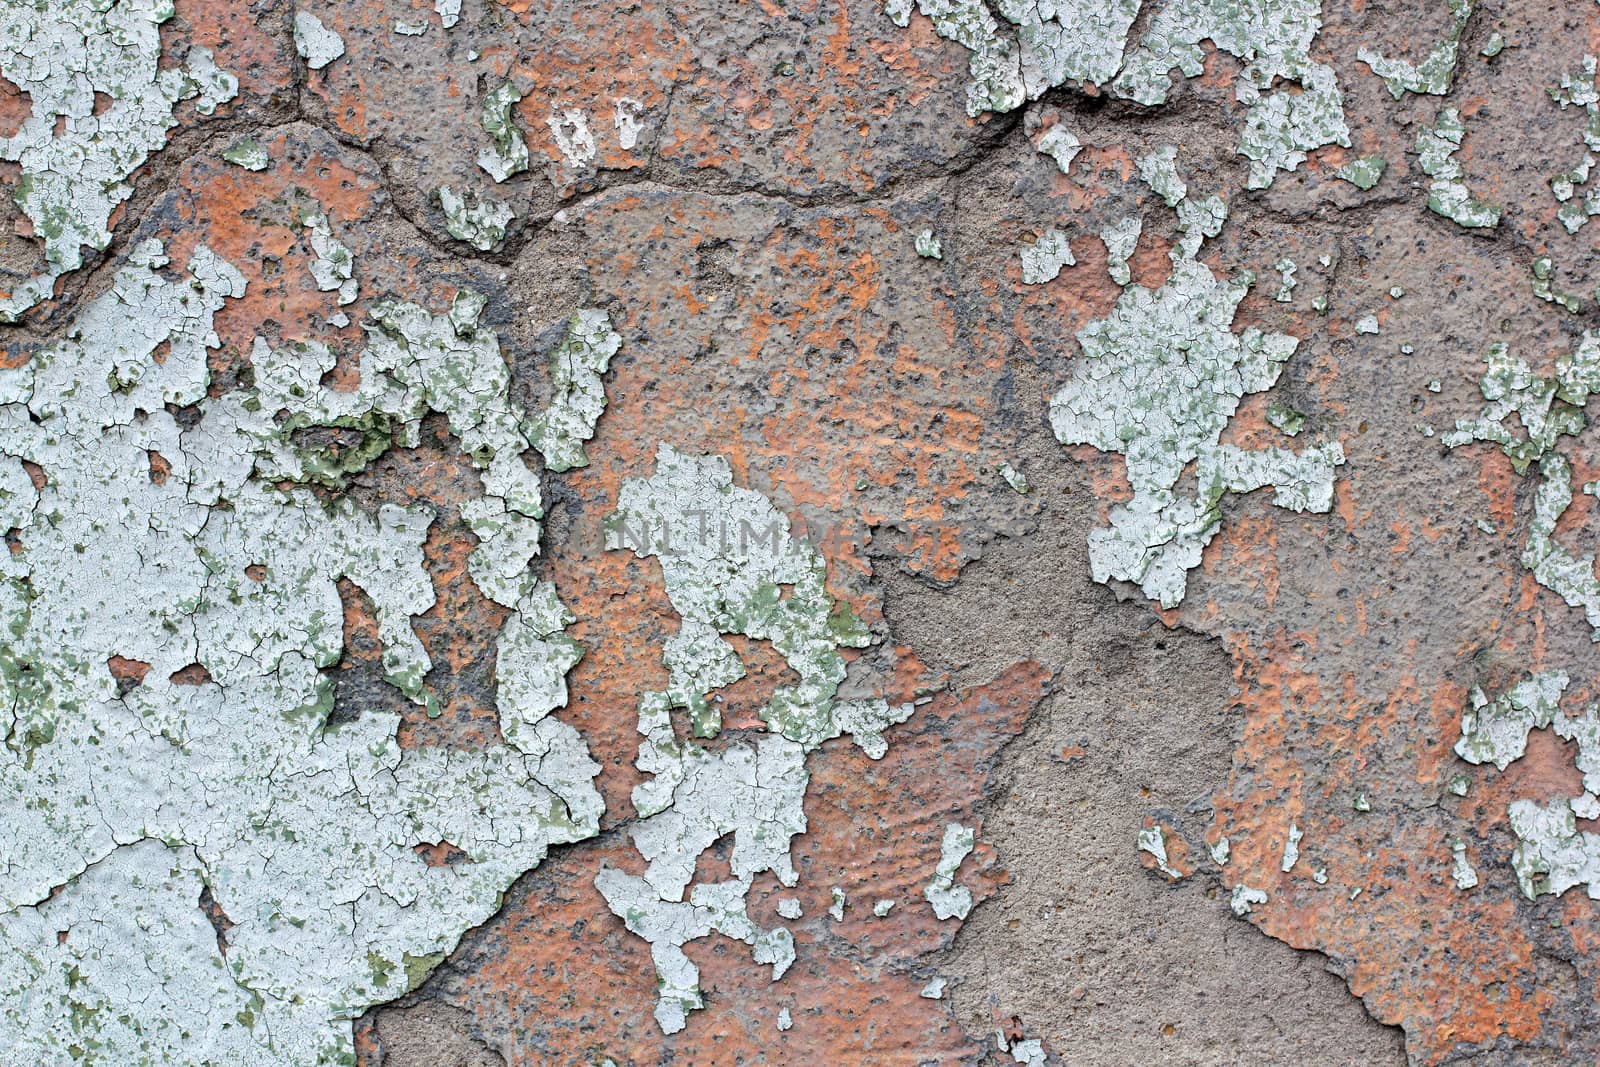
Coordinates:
[729,557]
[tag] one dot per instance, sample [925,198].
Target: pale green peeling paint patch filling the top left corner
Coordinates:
[76,158]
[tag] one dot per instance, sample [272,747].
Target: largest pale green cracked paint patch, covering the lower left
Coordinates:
[302,829]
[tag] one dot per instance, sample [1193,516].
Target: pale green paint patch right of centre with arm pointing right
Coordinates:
[1159,382]
